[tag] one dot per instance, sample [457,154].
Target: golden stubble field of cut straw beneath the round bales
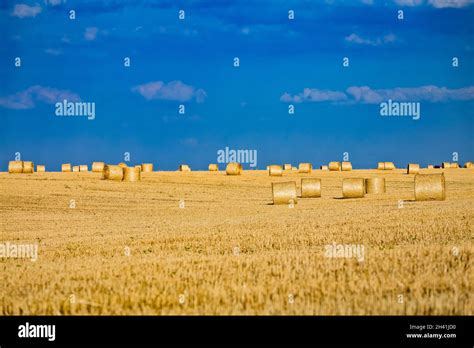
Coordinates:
[132,248]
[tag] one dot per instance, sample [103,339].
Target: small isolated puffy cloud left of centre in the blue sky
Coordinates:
[174,90]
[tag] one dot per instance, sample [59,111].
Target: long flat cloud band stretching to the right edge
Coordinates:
[367,95]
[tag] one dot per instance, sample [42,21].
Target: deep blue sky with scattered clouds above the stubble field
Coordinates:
[282,62]
